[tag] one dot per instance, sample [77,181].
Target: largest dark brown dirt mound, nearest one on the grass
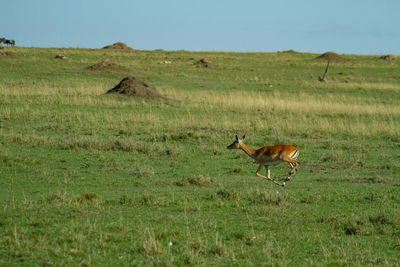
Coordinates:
[134,86]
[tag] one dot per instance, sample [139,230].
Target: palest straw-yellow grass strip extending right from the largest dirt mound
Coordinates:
[283,102]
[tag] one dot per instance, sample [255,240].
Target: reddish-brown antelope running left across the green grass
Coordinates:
[270,155]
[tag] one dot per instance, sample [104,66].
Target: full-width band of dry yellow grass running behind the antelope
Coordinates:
[278,111]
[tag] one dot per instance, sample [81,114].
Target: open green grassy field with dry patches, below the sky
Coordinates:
[93,179]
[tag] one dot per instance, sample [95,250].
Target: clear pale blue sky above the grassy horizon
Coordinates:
[342,26]
